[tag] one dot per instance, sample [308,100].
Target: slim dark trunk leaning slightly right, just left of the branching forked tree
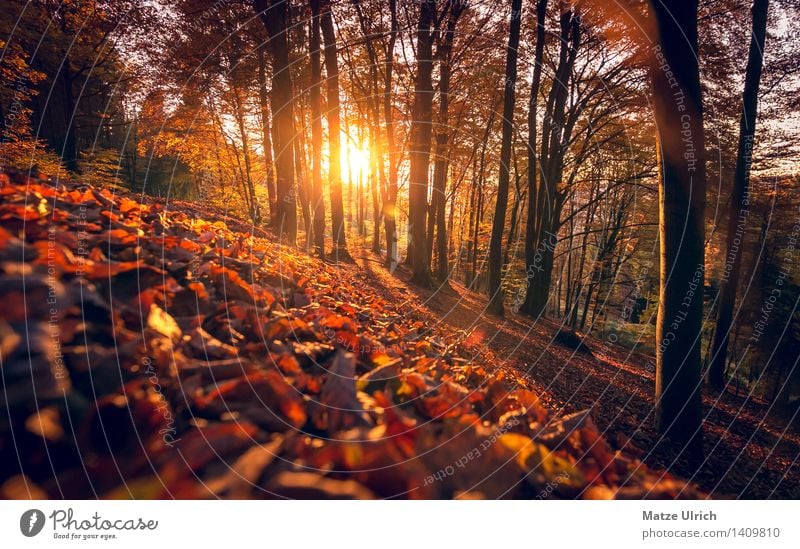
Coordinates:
[498,223]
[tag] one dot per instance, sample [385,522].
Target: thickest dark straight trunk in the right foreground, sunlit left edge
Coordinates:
[675,78]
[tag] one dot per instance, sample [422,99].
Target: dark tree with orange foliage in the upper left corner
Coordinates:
[75,45]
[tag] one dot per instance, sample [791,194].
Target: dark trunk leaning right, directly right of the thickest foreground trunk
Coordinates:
[740,201]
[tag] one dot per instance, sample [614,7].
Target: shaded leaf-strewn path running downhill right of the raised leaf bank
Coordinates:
[749,452]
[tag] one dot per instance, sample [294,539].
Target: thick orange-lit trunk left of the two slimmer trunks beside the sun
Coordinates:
[275,16]
